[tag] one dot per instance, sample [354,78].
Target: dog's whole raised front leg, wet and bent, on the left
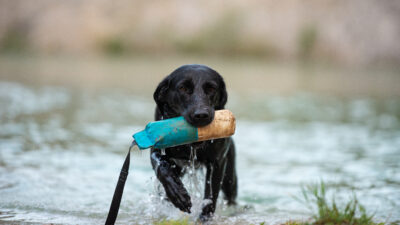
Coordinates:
[168,177]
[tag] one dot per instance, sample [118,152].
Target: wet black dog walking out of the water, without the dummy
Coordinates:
[195,92]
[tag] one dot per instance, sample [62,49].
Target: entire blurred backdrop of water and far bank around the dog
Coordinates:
[314,85]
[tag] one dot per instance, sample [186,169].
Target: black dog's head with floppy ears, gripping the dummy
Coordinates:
[192,91]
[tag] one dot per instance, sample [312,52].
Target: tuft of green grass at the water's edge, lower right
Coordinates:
[329,212]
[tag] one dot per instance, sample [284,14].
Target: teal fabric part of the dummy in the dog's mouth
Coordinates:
[166,133]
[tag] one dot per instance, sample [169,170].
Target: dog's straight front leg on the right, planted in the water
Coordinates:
[214,176]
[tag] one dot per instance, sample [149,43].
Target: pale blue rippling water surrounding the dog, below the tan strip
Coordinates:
[61,151]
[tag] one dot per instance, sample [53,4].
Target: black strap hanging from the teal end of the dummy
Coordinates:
[119,189]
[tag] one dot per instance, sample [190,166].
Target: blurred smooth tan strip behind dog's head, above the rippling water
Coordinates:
[246,75]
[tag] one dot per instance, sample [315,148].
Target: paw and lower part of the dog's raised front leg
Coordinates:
[174,188]
